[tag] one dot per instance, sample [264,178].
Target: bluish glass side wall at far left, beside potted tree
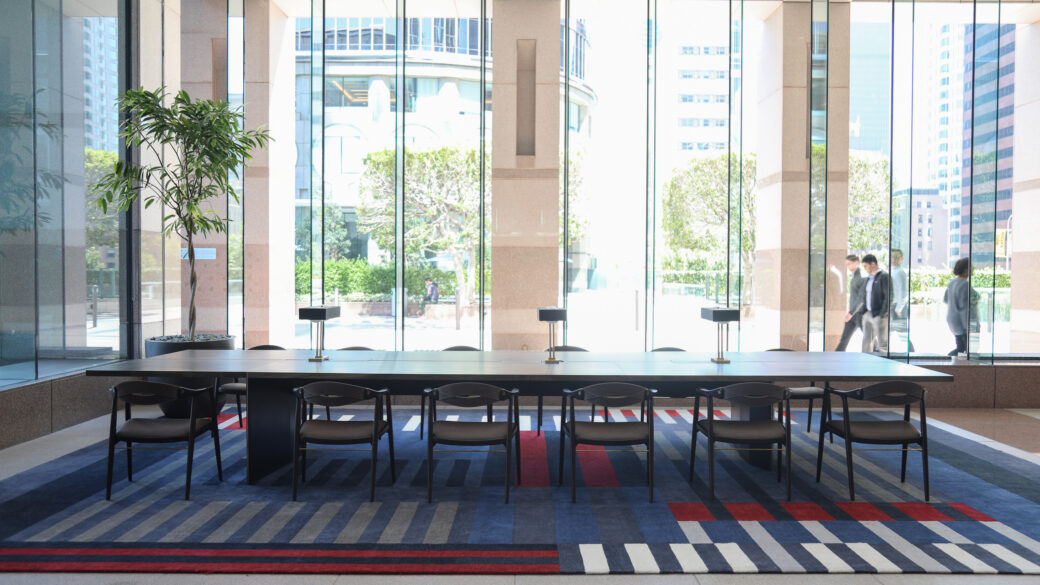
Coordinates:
[61,284]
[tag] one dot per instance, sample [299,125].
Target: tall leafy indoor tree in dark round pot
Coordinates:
[200,146]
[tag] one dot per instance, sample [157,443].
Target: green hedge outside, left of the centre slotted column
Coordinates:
[354,276]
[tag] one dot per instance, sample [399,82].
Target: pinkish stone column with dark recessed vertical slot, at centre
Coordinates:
[526,171]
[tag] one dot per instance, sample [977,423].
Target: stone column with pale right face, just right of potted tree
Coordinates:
[269,188]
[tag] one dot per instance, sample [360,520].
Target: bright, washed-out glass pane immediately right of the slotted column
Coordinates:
[605,262]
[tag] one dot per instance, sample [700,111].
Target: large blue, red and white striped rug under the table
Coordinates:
[984,516]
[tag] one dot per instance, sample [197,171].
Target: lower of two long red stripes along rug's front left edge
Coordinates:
[173,567]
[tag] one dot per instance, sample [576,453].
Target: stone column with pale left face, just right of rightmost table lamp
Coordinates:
[783,233]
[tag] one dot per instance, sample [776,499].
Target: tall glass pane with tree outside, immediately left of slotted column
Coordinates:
[446,168]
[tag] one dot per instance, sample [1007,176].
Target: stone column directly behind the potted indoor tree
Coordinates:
[203,74]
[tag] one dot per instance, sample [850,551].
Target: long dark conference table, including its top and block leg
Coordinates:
[271,375]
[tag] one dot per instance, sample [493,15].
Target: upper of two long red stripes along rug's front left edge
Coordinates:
[292,553]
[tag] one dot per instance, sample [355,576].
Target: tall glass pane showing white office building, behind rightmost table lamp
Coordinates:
[697,163]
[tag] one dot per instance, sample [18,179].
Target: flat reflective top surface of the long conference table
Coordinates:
[436,366]
